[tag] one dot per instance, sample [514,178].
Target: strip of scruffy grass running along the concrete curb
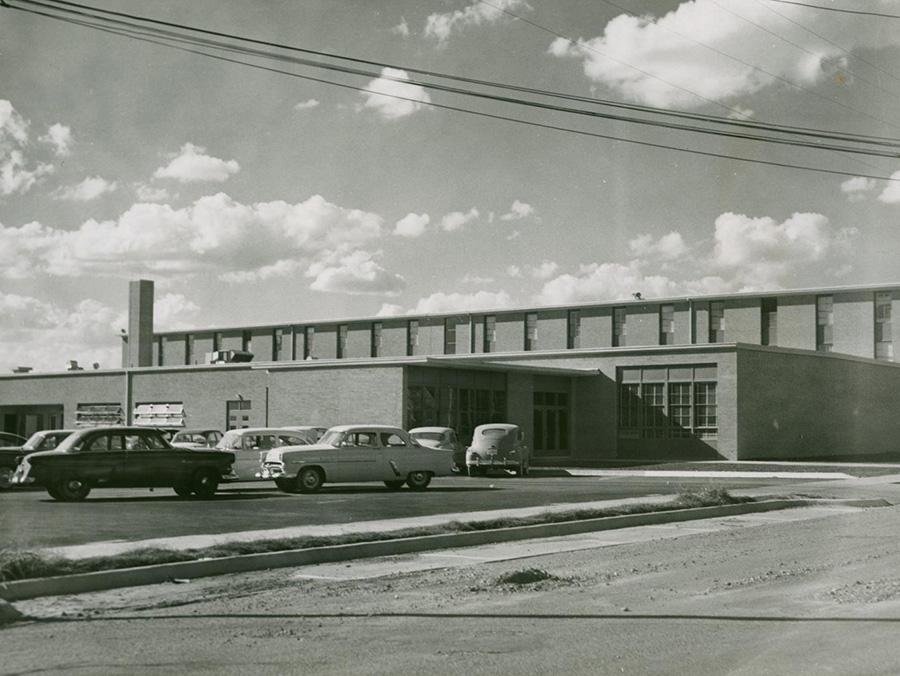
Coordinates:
[18,564]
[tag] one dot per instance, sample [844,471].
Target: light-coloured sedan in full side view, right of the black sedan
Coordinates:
[351,453]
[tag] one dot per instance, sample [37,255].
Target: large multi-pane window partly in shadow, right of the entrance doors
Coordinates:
[667,402]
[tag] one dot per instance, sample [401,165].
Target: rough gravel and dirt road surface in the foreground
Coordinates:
[812,597]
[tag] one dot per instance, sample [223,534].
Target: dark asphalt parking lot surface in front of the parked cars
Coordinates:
[31,519]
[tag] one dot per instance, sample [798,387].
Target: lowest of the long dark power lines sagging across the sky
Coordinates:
[134,35]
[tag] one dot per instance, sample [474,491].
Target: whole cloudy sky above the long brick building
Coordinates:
[256,197]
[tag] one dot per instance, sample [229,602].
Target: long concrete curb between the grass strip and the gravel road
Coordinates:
[133,577]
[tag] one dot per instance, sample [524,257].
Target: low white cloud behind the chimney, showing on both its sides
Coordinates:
[45,335]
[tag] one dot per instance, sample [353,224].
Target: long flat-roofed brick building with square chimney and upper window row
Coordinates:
[790,374]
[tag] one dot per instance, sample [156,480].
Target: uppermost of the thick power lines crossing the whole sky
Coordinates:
[855,138]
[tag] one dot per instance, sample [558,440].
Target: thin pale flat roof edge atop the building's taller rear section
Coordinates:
[771,293]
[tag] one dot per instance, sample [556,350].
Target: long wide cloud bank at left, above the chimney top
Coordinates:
[215,234]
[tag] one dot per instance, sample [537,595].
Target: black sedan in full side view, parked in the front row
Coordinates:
[129,457]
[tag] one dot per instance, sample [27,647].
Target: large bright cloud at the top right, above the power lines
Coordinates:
[662,61]
